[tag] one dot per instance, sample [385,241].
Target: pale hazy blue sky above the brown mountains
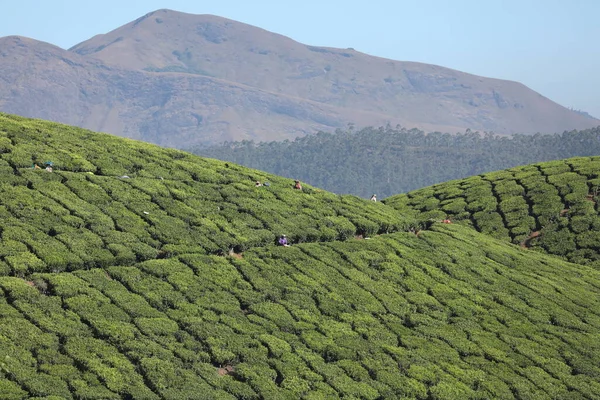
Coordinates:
[552,46]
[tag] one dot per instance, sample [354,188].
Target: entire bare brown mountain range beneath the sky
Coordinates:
[184,80]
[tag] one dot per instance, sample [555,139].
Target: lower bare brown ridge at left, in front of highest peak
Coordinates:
[45,81]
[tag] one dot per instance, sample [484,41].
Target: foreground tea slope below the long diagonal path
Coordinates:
[435,316]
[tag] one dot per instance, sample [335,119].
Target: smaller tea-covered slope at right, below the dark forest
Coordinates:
[549,206]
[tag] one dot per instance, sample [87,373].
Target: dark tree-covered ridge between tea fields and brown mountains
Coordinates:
[387,161]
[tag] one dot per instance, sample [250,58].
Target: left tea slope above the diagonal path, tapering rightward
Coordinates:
[112,201]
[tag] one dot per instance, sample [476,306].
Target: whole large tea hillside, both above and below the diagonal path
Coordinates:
[115,287]
